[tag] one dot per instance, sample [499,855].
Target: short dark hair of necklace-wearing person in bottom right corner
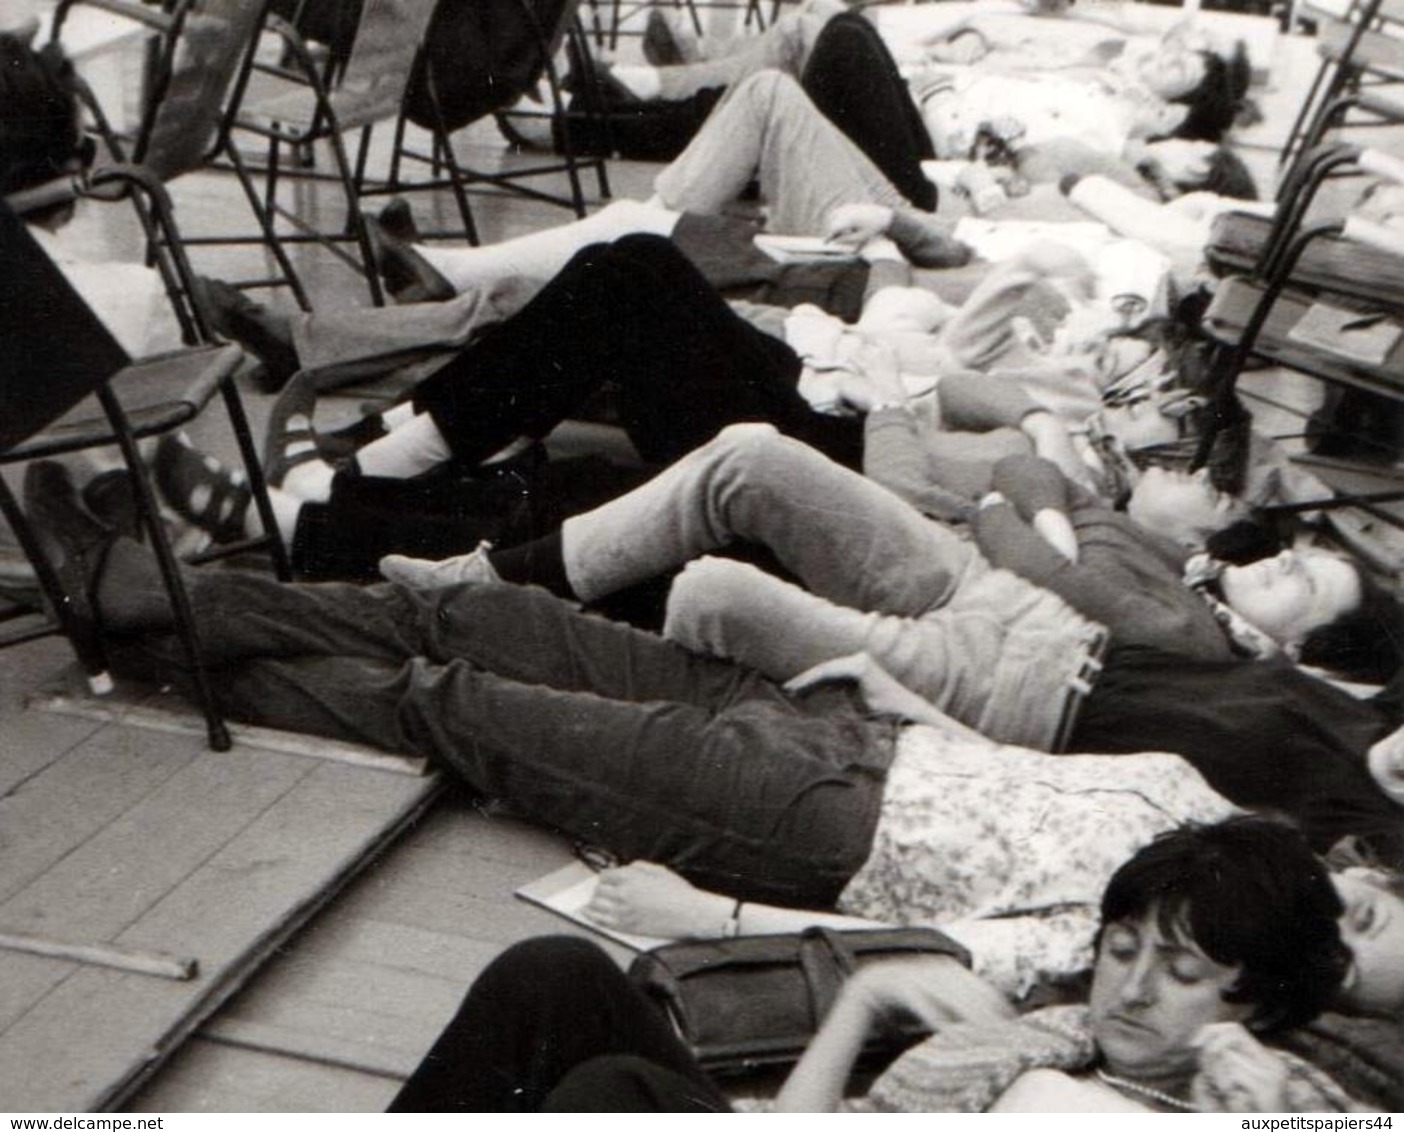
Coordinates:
[1250,894]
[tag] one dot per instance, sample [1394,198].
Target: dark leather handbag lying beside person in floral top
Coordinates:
[757,1001]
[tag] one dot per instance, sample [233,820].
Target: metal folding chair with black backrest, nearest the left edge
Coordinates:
[60,357]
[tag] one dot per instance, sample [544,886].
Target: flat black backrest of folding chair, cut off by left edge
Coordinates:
[54,350]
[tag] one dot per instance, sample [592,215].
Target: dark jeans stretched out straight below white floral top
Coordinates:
[611,735]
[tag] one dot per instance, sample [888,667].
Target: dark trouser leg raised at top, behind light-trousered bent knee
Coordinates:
[854,81]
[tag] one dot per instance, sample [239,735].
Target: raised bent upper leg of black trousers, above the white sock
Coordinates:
[641,317]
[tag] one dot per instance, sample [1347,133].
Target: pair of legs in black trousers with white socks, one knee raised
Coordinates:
[683,366]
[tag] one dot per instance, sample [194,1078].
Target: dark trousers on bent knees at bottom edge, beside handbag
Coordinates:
[554,1026]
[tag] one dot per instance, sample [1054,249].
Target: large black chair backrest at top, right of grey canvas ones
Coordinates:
[484,57]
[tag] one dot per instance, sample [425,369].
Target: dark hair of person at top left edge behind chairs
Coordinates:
[40,130]
